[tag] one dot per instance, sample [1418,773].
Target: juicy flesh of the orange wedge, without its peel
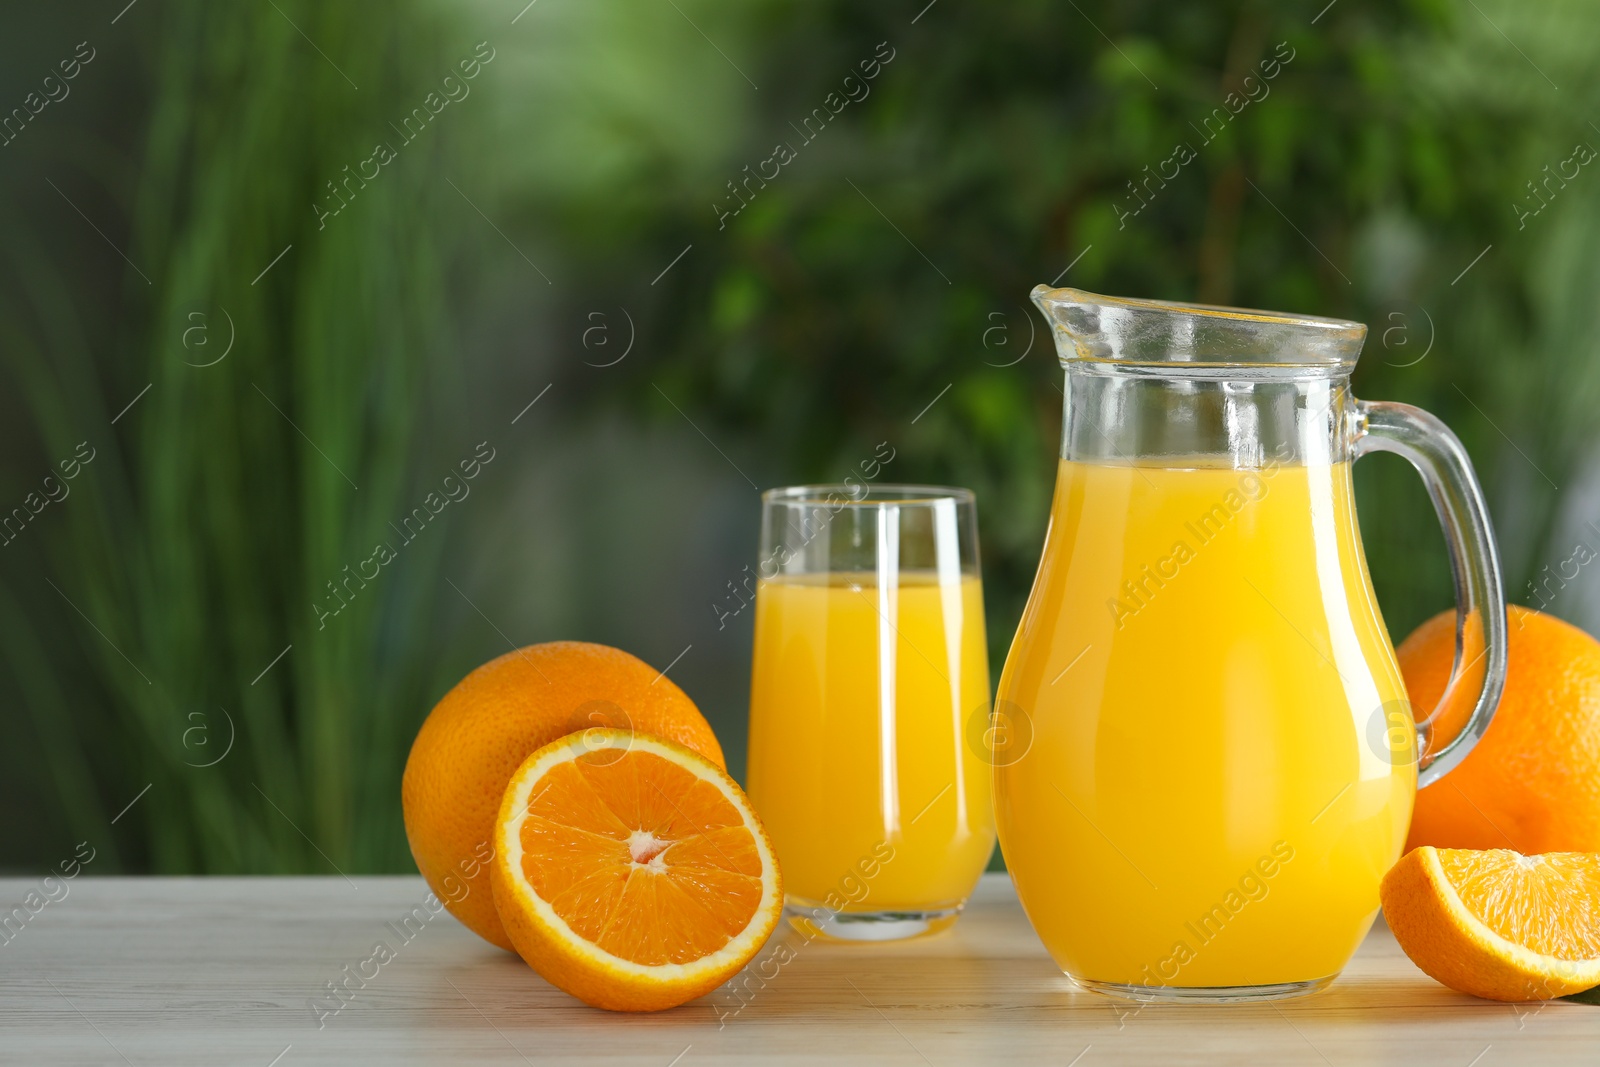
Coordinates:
[1550,905]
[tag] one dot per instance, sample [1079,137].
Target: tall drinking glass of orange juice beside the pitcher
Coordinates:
[870,668]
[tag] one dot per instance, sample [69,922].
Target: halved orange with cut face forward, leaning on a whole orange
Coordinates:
[631,873]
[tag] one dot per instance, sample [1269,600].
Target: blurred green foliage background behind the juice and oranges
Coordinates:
[273,366]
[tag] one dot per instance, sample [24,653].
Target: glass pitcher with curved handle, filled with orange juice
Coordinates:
[1207,756]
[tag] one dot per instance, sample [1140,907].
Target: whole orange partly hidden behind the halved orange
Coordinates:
[495,719]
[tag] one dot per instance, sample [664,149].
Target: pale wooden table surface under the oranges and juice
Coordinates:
[225,972]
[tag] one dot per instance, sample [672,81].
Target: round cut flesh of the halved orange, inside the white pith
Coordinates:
[641,857]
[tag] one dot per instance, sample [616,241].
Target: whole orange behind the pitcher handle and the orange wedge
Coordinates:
[1534,781]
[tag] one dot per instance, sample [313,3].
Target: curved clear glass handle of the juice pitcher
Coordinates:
[1474,562]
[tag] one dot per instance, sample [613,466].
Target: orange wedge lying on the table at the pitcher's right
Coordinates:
[1497,924]
